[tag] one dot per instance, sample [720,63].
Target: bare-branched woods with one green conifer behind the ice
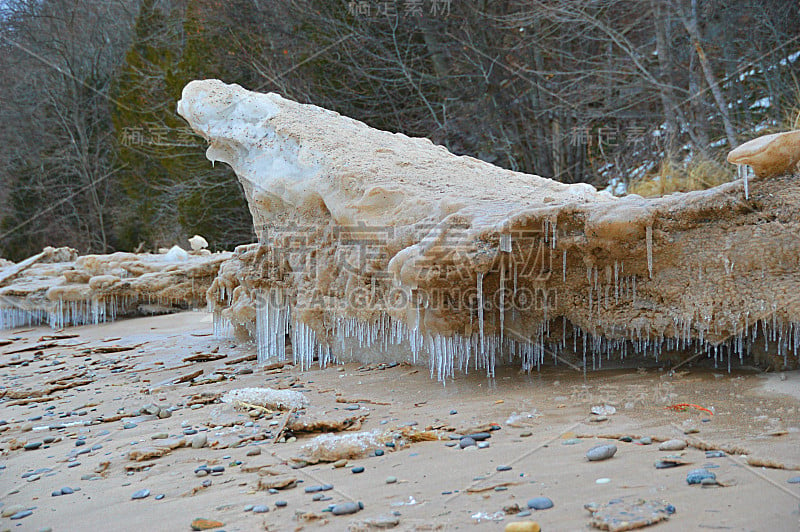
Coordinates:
[95,157]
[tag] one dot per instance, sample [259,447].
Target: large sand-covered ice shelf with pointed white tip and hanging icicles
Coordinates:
[377,246]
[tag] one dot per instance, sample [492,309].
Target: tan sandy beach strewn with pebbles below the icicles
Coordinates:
[752,414]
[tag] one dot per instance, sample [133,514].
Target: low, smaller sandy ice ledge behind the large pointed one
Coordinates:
[59,288]
